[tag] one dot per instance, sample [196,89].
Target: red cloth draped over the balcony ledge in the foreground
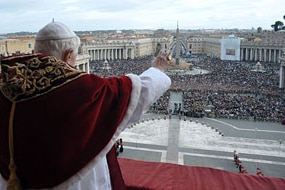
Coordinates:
[153,175]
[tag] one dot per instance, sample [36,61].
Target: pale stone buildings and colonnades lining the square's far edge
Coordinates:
[239,45]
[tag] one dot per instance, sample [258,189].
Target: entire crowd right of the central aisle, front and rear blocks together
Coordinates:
[235,90]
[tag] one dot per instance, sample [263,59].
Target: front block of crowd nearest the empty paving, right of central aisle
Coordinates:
[259,107]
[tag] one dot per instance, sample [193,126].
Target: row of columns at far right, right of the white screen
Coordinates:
[260,54]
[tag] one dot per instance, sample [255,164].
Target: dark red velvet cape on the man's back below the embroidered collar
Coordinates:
[63,129]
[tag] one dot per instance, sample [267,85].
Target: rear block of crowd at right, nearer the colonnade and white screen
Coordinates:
[235,77]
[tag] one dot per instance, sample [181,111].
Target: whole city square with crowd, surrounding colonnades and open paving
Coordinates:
[227,94]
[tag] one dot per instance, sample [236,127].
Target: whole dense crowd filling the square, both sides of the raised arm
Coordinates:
[230,89]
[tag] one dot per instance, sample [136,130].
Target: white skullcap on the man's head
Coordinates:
[55,31]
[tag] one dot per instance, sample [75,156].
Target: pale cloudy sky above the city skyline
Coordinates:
[86,15]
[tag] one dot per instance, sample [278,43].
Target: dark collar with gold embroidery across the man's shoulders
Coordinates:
[29,76]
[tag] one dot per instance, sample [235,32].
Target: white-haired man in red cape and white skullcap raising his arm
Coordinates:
[58,125]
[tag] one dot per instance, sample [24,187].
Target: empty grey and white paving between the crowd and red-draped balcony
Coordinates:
[208,142]
